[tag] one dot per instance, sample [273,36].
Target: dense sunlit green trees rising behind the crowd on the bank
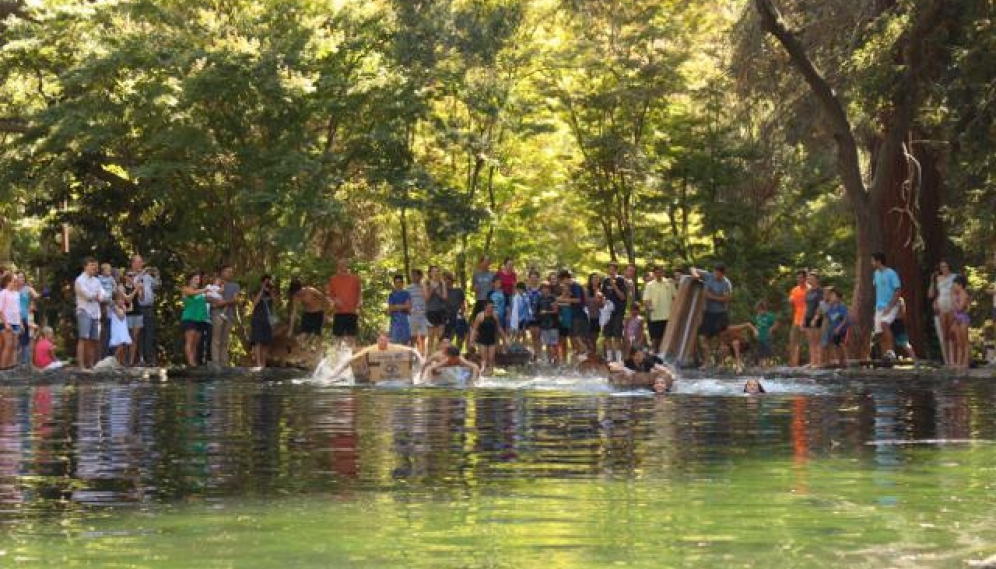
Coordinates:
[278,135]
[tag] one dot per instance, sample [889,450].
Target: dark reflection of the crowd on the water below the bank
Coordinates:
[79,446]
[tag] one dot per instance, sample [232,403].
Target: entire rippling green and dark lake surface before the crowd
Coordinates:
[523,472]
